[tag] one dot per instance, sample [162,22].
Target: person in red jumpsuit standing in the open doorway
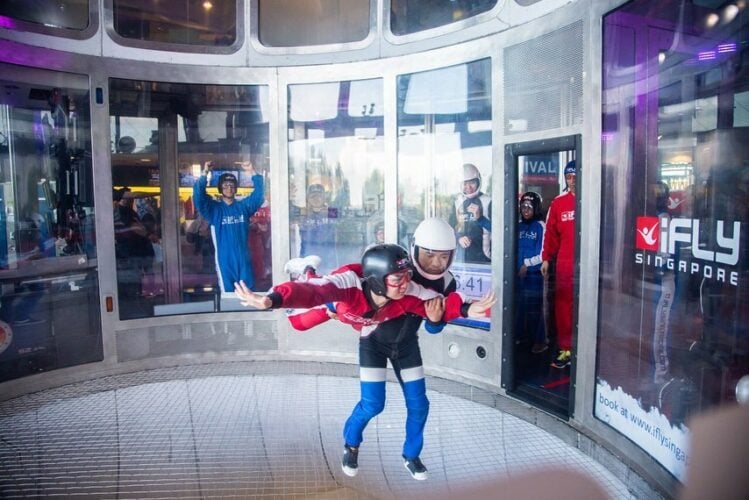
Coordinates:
[559,245]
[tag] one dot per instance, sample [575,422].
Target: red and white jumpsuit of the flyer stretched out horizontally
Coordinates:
[344,287]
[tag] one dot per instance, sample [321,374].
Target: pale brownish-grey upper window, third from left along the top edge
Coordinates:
[299,23]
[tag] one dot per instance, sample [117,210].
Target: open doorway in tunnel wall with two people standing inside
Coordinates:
[539,344]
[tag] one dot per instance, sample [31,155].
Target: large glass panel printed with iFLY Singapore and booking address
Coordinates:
[674,289]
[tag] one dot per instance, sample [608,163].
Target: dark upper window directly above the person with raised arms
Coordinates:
[186,22]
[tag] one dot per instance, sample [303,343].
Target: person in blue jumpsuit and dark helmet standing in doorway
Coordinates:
[530,318]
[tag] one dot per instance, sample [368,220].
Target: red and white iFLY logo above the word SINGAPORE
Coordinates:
[662,235]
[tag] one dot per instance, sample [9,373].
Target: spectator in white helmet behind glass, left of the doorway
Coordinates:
[472,223]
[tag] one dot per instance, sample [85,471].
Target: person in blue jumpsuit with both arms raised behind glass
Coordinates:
[230,223]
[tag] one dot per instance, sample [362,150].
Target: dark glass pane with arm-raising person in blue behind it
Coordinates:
[164,271]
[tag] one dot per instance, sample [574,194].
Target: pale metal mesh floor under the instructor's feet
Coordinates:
[224,431]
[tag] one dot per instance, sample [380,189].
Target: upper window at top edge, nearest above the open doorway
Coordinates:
[412,16]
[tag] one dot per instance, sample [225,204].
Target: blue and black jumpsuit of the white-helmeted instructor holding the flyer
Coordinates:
[398,341]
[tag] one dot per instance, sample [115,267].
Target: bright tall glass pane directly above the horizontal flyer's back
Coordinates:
[336,182]
